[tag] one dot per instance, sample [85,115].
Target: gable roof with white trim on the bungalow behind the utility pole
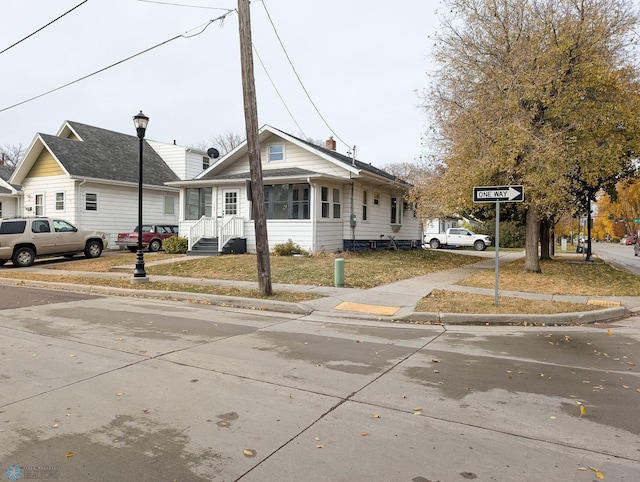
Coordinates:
[353,165]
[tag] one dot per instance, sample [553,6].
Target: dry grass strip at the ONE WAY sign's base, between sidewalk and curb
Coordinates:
[440,301]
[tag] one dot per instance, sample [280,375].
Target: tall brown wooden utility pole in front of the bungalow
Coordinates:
[253,146]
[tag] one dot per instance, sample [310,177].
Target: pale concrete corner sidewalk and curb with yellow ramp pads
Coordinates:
[395,301]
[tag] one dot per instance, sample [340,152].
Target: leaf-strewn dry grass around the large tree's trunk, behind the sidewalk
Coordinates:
[567,275]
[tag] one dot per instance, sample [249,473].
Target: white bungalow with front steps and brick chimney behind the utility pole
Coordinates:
[314,196]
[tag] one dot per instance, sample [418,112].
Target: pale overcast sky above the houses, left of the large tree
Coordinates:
[362,66]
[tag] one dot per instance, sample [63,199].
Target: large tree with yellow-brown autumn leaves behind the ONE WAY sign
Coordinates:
[542,93]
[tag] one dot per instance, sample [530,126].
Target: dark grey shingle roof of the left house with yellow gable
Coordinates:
[95,153]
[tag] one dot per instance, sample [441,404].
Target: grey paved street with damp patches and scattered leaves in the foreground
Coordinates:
[103,388]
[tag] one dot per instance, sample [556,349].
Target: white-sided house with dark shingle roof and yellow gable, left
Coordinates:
[89,176]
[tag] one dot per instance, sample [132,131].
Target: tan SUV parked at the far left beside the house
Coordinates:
[23,239]
